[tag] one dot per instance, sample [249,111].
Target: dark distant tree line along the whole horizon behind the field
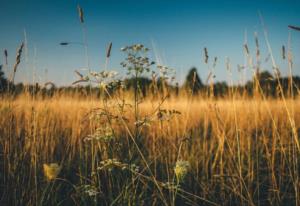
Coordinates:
[268,85]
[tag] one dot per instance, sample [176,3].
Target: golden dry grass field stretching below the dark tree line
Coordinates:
[239,152]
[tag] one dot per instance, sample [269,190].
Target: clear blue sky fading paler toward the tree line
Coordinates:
[179,30]
